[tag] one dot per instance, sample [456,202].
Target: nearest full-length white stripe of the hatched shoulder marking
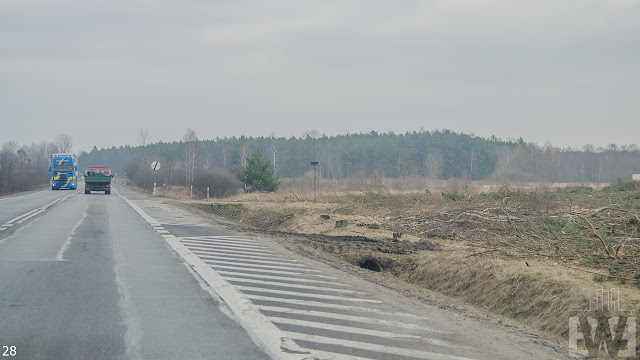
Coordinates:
[374,347]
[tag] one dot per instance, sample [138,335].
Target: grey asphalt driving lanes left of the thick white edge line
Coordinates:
[88,278]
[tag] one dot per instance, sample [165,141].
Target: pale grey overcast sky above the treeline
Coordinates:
[563,71]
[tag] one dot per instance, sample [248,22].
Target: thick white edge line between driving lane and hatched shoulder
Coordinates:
[276,343]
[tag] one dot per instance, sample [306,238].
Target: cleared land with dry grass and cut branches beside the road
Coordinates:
[530,252]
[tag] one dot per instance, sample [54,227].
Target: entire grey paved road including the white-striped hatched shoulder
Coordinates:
[128,277]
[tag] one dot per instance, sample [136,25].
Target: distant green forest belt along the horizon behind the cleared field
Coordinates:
[432,154]
